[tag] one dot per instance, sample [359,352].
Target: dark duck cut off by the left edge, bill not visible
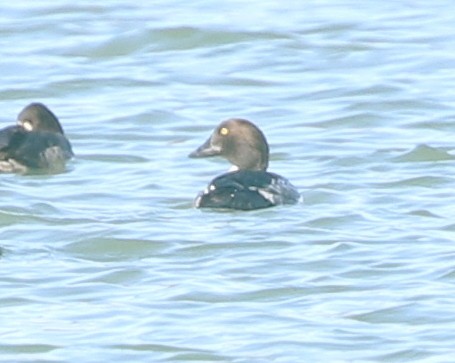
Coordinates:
[36,142]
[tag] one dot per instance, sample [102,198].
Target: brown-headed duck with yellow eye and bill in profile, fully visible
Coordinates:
[247,185]
